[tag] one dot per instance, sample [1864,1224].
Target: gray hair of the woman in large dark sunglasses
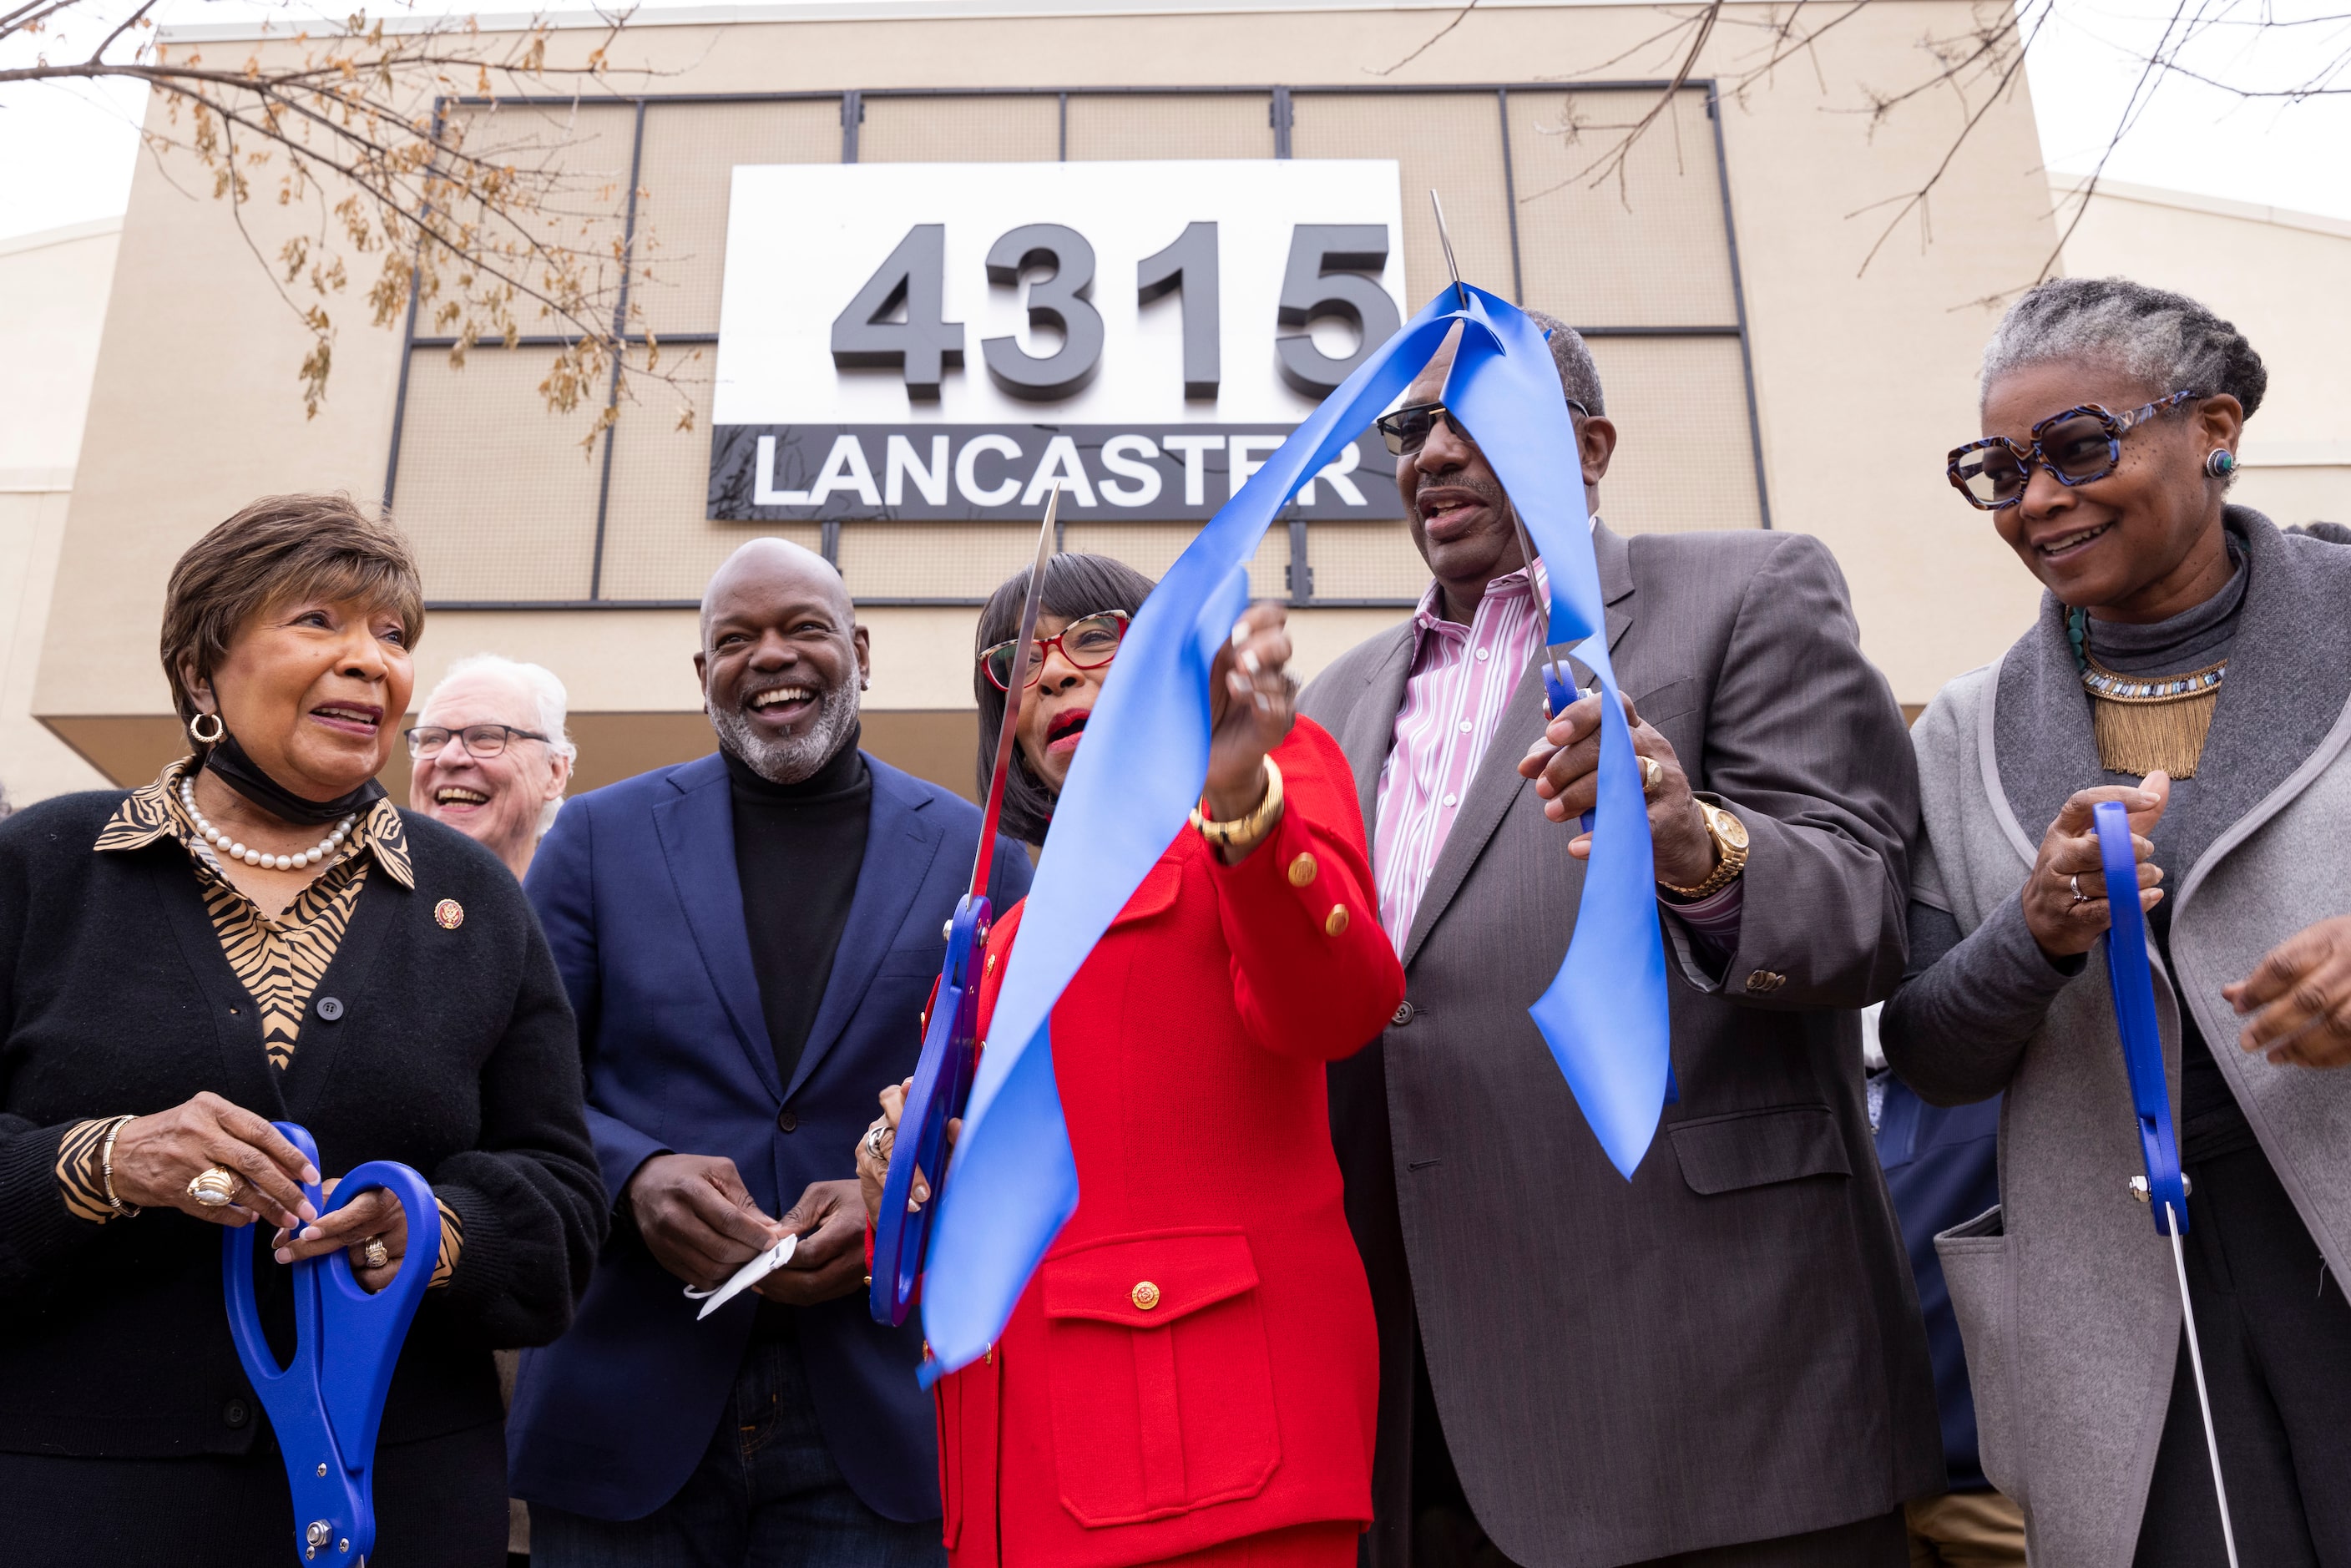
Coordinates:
[2164,342]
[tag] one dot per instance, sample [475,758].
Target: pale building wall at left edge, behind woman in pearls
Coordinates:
[53,302]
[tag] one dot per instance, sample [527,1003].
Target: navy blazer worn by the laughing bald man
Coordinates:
[643,909]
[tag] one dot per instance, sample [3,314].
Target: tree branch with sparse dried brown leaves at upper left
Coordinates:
[354,123]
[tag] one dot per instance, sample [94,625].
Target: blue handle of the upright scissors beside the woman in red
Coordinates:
[951,1054]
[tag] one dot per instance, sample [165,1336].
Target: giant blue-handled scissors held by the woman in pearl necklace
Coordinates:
[328,1402]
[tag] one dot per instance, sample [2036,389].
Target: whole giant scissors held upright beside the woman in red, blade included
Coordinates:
[951,1045]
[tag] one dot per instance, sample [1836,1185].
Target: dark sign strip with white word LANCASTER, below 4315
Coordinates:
[965,474]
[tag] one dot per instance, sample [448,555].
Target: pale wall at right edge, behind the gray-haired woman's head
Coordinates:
[2282,279]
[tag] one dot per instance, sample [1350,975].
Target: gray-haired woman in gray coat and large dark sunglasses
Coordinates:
[2195,664]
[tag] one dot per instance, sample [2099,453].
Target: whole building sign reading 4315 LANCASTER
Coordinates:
[949,342]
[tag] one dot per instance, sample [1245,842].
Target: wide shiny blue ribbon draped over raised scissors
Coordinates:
[1141,770]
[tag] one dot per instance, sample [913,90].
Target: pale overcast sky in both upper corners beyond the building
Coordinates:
[67,152]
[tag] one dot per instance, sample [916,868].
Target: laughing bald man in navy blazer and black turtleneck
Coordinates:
[749,944]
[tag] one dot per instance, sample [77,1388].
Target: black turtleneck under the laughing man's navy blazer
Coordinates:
[798,855]
